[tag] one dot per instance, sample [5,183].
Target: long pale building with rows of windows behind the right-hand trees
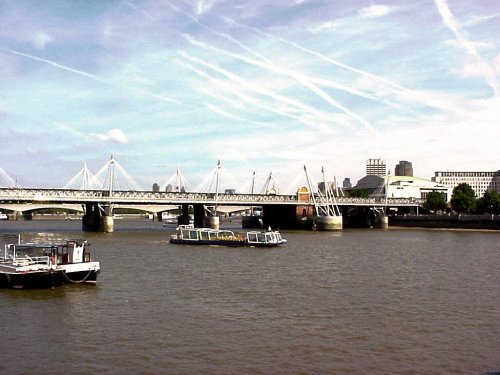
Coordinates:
[480,182]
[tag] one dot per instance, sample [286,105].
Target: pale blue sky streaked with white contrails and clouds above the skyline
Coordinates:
[261,85]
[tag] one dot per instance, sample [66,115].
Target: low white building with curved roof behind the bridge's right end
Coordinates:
[402,187]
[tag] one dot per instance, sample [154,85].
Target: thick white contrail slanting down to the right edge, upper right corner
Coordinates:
[450,22]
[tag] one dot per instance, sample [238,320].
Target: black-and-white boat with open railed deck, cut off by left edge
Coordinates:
[37,266]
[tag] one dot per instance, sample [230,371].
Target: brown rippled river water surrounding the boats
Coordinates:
[397,301]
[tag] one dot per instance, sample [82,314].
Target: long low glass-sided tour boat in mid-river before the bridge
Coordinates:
[189,235]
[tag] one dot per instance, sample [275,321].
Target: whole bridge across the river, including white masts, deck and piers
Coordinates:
[278,210]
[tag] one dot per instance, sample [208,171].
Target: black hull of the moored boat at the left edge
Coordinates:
[46,279]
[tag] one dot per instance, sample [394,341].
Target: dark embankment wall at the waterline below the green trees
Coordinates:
[491,222]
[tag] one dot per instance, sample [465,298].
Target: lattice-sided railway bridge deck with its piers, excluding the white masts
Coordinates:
[276,210]
